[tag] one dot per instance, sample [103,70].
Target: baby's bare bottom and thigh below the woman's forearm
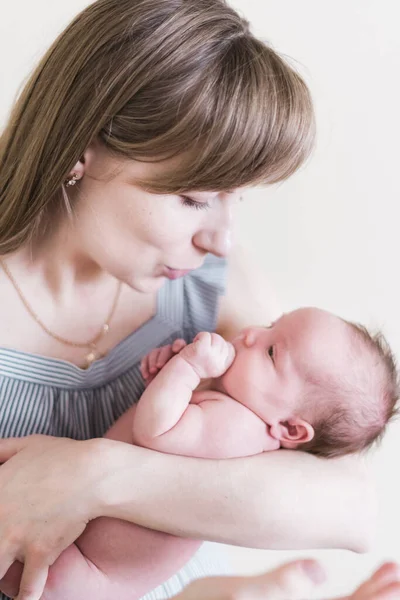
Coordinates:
[117,557]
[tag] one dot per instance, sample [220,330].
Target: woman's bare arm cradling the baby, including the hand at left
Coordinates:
[283,499]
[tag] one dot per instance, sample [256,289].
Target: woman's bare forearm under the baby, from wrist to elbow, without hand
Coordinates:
[275,500]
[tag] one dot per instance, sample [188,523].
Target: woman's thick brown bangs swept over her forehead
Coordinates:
[248,121]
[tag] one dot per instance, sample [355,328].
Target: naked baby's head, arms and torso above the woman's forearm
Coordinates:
[310,381]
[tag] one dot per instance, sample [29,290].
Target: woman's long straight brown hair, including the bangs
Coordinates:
[152,79]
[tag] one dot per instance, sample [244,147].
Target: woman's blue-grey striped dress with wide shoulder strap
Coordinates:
[54,397]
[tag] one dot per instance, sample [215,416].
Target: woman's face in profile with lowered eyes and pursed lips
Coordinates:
[140,237]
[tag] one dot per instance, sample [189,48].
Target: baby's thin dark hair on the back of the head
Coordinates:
[355,412]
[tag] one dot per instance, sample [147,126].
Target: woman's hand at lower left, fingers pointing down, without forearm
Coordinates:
[46,500]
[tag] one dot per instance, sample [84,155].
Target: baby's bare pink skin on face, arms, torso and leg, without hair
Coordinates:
[264,368]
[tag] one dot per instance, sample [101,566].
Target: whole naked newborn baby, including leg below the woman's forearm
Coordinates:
[310,381]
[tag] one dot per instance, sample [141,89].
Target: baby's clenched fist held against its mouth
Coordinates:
[209,355]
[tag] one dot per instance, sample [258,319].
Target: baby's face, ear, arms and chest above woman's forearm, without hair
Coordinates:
[264,370]
